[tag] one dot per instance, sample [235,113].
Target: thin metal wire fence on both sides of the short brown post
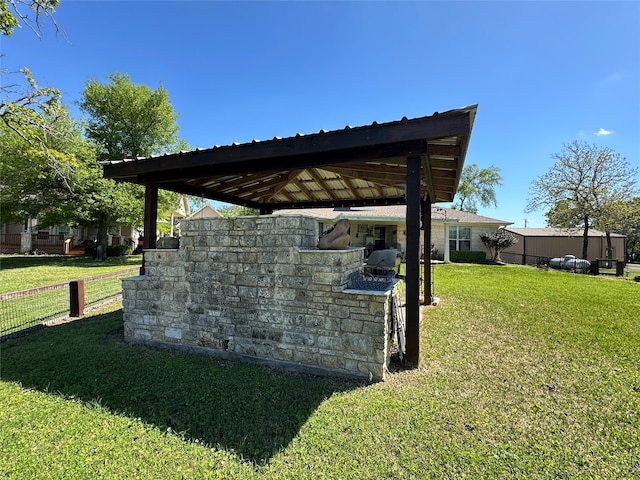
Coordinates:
[28,309]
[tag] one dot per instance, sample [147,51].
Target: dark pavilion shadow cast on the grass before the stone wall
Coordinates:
[252,410]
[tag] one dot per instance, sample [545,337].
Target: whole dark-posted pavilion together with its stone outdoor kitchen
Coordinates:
[258,288]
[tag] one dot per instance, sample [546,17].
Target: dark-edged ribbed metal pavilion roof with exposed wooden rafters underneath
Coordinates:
[364,165]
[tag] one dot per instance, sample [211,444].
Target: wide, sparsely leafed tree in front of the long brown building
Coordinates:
[582,187]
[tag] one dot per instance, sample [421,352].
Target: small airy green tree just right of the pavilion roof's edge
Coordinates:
[477,185]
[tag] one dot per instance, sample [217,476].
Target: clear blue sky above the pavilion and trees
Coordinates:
[542,73]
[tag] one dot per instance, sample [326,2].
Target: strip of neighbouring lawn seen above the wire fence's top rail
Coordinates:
[21,272]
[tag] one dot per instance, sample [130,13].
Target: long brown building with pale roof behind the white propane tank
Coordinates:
[535,244]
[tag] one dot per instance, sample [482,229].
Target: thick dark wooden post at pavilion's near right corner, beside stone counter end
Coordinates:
[412,277]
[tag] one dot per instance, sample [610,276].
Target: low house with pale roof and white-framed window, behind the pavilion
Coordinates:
[385,227]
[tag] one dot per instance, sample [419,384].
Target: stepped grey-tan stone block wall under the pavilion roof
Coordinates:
[257,288]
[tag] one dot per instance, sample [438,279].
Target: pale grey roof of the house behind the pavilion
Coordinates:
[395,213]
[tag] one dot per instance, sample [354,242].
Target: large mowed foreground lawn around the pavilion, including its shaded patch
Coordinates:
[524,373]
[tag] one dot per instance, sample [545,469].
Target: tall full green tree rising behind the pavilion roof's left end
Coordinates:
[127,120]
